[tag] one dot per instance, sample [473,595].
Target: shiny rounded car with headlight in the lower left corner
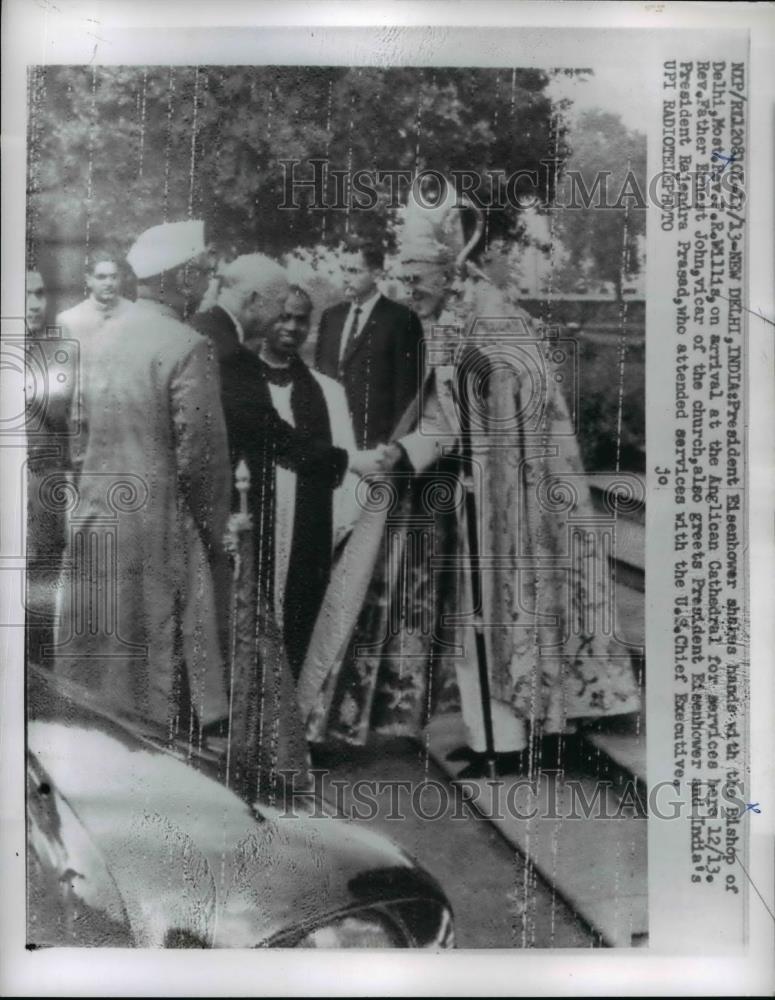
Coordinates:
[132,844]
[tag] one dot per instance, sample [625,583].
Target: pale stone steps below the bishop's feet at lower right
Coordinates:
[578,820]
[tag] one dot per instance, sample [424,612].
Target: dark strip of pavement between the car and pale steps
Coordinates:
[499,899]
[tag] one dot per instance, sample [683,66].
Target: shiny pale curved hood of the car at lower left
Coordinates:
[196,864]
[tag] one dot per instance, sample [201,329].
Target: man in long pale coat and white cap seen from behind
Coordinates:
[139,624]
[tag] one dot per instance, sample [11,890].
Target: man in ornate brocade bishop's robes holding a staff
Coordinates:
[547,612]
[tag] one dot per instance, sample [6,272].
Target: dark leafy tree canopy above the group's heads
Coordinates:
[114,150]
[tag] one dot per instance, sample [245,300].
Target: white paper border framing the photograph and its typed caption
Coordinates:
[80,32]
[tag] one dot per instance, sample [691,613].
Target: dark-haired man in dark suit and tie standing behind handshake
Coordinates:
[372,346]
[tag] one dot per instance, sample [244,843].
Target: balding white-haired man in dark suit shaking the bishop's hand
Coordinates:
[252,295]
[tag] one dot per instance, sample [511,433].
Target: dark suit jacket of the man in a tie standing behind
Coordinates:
[381,367]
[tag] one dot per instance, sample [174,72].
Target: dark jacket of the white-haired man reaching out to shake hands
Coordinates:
[256,432]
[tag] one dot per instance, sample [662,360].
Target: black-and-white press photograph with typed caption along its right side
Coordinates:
[383,574]
